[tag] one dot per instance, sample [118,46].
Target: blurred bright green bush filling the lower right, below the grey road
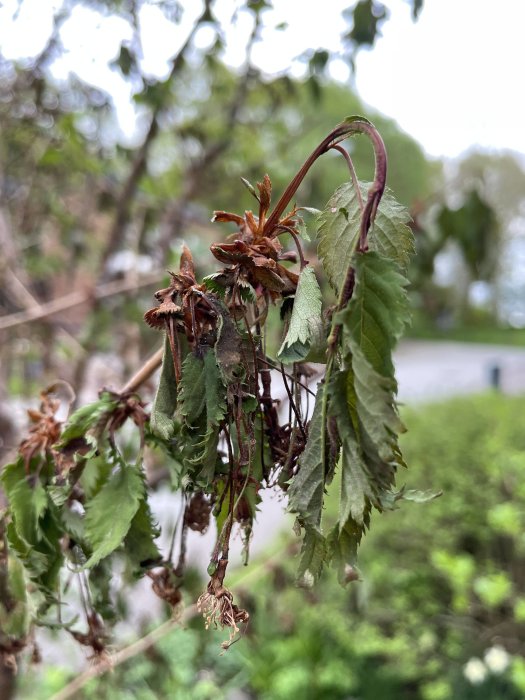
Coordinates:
[439,612]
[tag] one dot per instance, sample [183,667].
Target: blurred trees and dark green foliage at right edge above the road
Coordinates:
[475,219]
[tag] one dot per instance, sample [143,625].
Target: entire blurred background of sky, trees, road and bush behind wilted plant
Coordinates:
[124,124]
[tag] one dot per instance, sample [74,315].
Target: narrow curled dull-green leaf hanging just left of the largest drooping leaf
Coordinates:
[307,487]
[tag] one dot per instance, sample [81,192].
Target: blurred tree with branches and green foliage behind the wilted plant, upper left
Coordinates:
[87,220]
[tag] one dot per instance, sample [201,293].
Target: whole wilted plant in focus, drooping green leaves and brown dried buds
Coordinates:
[78,493]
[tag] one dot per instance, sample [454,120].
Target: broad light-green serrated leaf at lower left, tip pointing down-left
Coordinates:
[110,513]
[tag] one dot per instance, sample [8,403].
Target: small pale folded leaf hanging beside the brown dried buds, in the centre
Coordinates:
[306,325]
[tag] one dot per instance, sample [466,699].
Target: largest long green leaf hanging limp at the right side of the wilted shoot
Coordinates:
[362,395]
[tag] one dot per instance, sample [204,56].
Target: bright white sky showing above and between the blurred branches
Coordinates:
[452,80]
